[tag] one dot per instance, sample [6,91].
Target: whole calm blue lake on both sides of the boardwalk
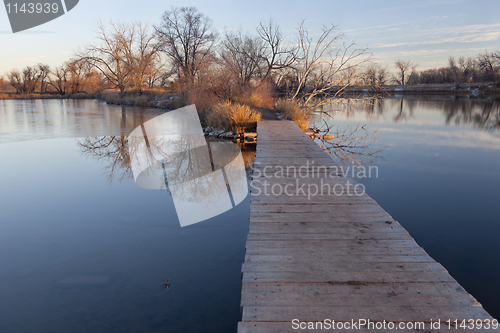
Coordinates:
[84,249]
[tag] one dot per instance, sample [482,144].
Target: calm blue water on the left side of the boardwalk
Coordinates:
[84,249]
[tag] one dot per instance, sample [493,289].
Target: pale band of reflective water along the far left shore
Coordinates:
[22,120]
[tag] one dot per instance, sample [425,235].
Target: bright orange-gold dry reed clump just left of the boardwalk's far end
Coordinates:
[236,117]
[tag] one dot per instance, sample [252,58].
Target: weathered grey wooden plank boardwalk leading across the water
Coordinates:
[338,257]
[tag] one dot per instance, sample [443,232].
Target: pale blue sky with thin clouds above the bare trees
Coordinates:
[426,32]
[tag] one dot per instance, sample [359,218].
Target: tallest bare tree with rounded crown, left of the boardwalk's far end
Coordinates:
[186,37]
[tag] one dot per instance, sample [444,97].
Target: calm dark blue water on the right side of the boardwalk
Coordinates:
[439,176]
